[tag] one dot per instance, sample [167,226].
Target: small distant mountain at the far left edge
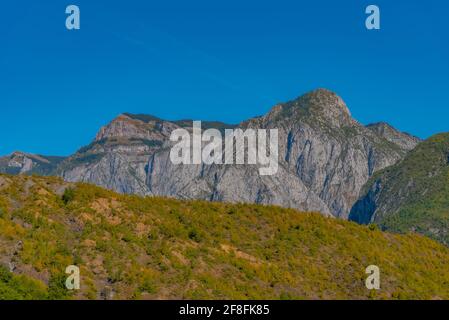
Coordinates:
[24,163]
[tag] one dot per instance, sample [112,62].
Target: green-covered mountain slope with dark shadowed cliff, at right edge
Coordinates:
[412,195]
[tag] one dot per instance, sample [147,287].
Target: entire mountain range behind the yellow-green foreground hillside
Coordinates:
[328,162]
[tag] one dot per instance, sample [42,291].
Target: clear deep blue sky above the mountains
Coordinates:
[222,60]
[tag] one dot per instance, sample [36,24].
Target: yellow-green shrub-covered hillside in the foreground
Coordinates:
[129,247]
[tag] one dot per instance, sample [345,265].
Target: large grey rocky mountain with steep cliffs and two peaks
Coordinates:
[325,157]
